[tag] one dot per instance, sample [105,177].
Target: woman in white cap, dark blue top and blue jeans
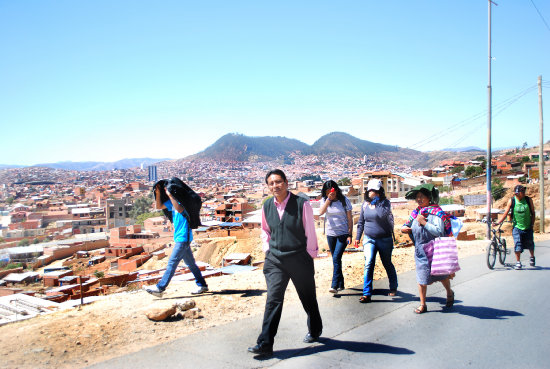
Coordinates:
[376,226]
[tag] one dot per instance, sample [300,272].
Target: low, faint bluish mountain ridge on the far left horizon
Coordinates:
[93,165]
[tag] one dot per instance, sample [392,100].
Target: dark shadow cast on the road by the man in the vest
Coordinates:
[329,344]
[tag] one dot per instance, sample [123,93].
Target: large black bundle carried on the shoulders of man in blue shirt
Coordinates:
[184,195]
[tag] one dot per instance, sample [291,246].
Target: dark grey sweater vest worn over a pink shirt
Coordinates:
[288,236]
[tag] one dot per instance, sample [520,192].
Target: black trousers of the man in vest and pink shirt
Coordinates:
[278,271]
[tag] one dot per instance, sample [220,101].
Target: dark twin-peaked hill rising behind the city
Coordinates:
[238,147]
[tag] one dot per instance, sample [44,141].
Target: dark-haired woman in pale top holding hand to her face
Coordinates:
[339,227]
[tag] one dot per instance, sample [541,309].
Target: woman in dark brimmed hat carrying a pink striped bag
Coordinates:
[426,223]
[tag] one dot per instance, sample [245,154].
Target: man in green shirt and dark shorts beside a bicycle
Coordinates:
[523,219]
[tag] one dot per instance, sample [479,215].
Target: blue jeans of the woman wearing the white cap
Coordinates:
[371,246]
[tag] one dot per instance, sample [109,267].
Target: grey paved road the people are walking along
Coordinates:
[499,321]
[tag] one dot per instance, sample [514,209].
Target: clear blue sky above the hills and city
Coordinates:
[107,80]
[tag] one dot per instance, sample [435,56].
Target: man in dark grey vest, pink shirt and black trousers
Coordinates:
[290,244]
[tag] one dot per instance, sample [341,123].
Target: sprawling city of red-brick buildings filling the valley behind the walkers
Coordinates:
[70,235]
